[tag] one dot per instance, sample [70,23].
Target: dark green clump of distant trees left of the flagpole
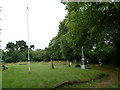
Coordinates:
[16,52]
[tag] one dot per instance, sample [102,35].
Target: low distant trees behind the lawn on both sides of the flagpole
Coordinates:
[18,52]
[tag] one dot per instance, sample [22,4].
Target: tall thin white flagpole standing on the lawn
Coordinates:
[28,41]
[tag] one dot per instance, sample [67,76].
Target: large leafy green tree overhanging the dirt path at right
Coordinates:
[96,24]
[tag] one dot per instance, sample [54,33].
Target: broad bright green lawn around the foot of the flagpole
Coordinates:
[43,76]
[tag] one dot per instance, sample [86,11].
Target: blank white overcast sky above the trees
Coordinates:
[44,18]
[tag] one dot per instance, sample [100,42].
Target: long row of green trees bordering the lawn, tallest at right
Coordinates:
[95,26]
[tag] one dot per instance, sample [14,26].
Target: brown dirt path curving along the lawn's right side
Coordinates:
[113,79]
